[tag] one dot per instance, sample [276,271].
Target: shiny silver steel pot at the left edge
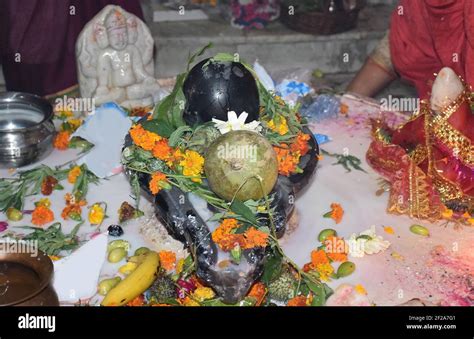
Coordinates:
[26,128]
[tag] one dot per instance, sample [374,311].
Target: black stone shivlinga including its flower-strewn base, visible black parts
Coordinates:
[212,89]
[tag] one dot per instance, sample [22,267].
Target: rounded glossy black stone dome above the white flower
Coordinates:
[212,88]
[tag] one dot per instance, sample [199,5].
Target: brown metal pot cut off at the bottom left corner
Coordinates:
[26,278]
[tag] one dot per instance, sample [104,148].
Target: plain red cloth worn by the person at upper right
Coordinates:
[427,35]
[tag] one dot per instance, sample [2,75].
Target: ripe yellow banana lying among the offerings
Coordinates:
[135,283]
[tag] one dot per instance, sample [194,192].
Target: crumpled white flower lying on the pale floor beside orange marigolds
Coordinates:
[367,242]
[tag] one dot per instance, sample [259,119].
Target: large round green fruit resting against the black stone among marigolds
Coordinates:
[241,164]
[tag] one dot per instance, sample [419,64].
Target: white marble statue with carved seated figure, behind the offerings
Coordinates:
[114,55]
